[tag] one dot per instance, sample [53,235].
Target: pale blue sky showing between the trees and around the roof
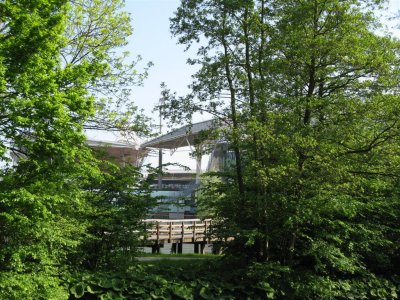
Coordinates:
[152,40]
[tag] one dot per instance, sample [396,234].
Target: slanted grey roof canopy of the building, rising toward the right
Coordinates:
[180,137]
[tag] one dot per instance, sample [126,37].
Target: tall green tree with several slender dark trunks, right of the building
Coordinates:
[311,115]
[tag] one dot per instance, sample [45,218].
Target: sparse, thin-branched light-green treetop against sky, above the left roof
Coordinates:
[95,36]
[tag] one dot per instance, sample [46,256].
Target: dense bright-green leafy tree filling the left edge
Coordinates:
[42,124]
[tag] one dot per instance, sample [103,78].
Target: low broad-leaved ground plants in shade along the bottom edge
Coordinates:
[211,278]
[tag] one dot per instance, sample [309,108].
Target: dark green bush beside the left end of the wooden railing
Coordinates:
[119,200]
